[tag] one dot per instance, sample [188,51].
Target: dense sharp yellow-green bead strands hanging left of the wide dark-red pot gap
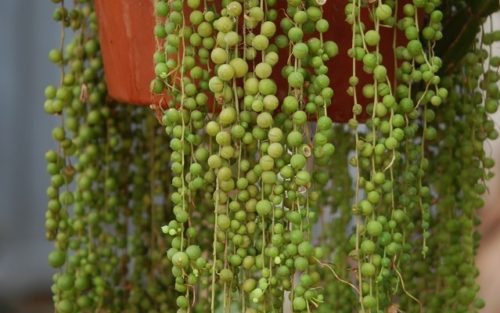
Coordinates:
[245,169]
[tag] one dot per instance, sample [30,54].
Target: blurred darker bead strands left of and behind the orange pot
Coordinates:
[109,184]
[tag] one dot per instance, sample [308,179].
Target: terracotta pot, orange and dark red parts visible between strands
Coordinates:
[128,44]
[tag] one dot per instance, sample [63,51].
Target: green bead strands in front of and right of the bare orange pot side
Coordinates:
[247,161]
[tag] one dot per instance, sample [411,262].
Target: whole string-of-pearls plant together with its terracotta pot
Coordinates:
[319,156]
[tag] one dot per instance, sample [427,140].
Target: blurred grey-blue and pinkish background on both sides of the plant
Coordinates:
[27,33]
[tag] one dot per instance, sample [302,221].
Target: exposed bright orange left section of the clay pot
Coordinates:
[127,45]
